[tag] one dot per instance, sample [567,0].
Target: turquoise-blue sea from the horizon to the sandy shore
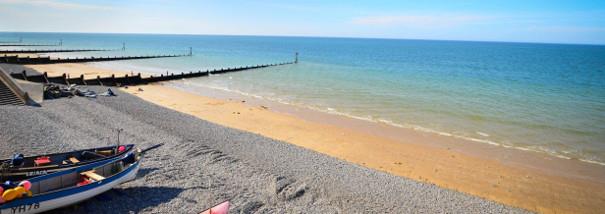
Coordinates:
[542,97]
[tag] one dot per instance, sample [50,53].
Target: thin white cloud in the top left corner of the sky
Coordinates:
[56,4]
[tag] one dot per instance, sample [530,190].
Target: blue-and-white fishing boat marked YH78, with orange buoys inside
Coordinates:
[59,189]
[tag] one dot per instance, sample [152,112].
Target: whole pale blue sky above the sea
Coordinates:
[553,21]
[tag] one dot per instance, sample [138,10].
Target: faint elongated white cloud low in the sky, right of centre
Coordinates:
[420,20]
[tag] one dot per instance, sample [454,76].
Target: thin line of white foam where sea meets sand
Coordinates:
[368,118]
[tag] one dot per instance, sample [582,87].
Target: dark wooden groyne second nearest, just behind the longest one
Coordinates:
[48,60]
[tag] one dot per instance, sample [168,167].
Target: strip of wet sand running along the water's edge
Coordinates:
[506,154]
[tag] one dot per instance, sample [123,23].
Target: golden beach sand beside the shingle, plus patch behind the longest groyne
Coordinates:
[523,179]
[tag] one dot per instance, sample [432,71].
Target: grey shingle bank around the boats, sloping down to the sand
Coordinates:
[202,164]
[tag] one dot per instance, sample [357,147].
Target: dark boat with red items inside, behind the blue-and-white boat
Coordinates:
[21,168]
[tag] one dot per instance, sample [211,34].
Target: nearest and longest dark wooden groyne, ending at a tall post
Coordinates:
[113,80]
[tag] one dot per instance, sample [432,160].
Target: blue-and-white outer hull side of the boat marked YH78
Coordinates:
[70,196]
